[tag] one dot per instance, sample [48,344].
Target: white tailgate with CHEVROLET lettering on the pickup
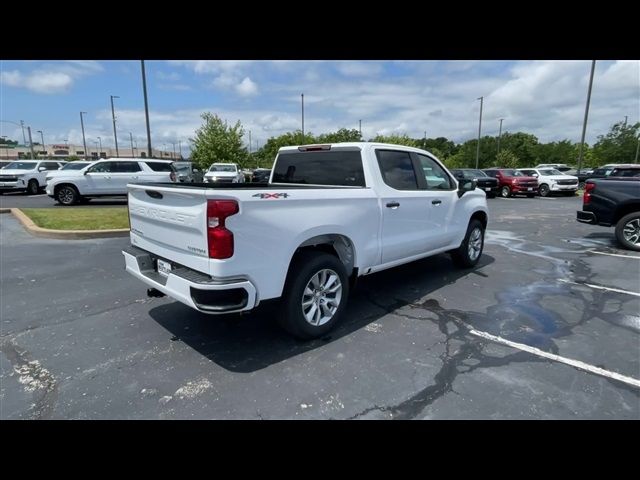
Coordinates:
[170,223]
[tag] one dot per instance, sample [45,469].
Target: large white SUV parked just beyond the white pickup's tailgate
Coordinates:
[108,177]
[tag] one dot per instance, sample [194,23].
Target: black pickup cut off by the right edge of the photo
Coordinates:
[614,202]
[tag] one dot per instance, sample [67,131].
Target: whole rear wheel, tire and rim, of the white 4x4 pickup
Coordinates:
[315,295]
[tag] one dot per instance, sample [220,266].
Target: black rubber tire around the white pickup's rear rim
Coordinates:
[304,267]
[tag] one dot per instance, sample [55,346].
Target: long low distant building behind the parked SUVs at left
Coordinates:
[64,151]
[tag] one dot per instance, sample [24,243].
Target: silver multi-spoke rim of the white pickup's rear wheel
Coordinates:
[321,297]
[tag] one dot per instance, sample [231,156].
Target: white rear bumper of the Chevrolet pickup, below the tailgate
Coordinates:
[196,290]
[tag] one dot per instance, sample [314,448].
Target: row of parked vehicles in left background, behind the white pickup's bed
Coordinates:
[73,182]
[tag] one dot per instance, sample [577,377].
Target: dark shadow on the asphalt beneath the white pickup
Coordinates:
[253,341]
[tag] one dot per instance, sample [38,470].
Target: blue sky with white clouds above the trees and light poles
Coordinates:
[545,98]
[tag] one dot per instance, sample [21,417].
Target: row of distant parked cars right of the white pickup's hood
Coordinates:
[541,180]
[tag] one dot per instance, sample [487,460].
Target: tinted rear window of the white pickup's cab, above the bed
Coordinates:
[343,168]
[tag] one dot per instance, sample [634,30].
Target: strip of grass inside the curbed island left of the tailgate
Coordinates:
[79,218]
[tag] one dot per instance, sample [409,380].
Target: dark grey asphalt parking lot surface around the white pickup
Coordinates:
[80,340]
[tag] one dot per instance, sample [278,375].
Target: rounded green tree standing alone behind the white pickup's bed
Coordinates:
[215,141]
